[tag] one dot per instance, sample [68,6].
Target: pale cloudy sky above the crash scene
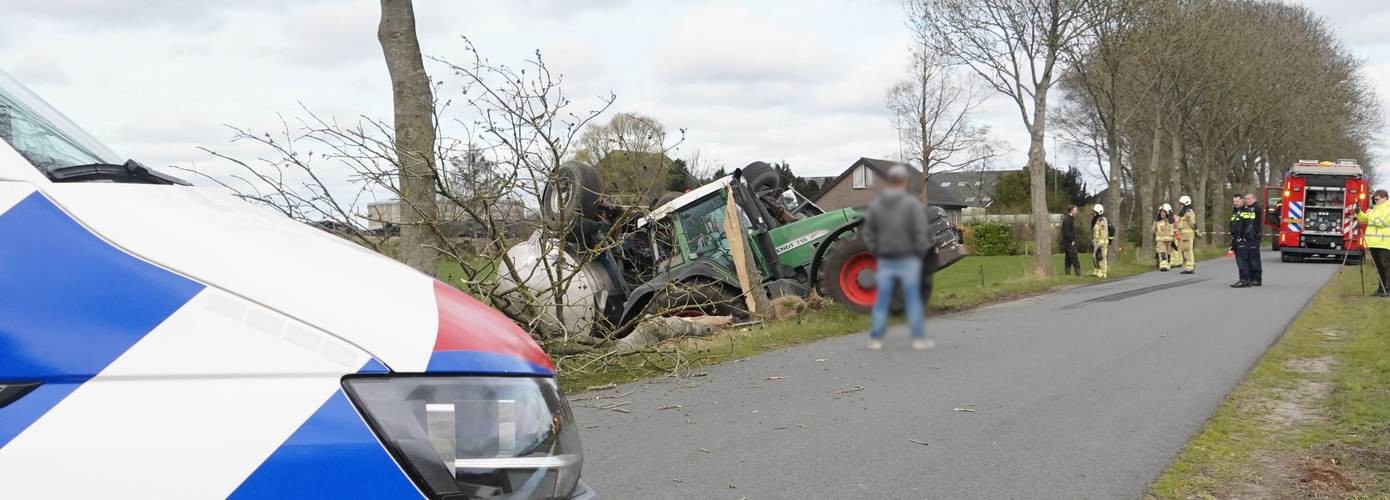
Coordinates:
[792,80]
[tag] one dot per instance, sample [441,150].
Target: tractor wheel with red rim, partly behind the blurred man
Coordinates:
[847,277]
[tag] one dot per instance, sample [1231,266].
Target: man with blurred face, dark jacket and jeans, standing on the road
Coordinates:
[899,234]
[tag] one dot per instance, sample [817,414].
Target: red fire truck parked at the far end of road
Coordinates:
[1314,215]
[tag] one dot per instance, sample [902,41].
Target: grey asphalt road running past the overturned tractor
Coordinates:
[1084,394]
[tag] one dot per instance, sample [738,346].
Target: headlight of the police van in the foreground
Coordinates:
[476,437]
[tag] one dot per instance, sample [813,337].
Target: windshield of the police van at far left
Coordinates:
[42,135]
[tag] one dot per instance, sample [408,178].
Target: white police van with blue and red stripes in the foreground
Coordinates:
[162,341]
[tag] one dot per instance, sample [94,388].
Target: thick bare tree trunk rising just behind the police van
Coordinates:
[415,131]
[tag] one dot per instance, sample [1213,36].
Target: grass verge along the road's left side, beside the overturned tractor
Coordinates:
[974,283]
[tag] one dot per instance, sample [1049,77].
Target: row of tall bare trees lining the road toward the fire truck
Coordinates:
[1171,98]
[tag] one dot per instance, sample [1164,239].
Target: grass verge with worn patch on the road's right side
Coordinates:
[1311,419]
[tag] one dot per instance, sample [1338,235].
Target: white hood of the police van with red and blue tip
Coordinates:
[405,320]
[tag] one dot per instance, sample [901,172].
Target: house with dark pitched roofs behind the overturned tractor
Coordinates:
[951,191]
